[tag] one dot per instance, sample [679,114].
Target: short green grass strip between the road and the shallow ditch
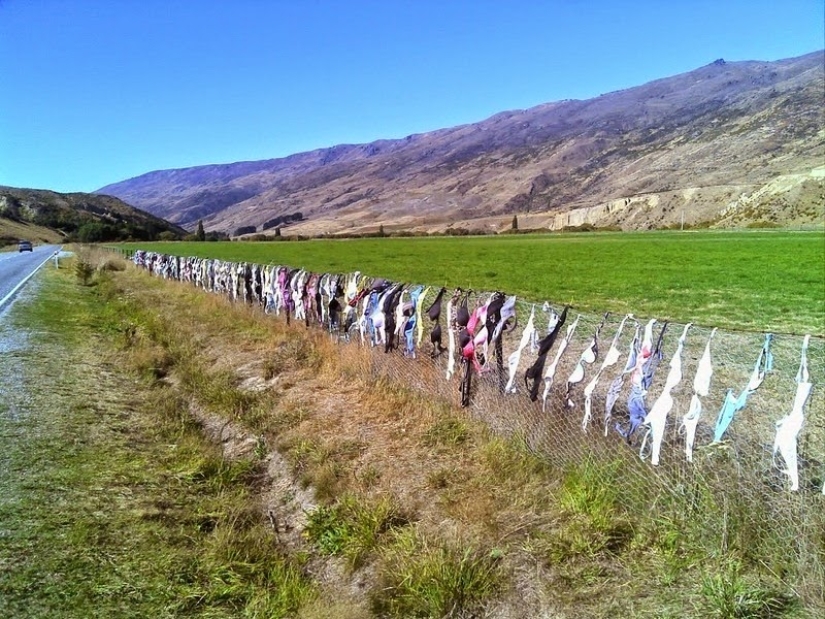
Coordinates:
[113,504]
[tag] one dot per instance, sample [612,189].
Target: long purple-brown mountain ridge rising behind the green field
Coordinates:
[728,144]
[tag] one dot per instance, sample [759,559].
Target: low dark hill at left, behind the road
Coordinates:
[77,217]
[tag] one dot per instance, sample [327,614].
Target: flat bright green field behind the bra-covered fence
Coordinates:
[751,280]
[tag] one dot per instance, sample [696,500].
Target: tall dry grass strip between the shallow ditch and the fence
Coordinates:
[507,489]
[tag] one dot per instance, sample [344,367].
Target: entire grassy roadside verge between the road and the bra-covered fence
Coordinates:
[390,502]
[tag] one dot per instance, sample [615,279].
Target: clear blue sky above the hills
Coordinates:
[97,91]
